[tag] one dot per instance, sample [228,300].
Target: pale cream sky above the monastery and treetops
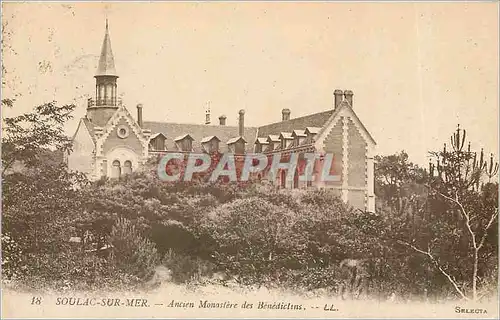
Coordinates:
[416,69]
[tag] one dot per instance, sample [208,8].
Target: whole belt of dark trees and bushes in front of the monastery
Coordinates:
[432,232]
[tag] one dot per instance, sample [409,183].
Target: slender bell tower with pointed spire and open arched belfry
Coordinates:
[103,106]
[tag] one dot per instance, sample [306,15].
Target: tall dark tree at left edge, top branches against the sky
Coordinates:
[40,197]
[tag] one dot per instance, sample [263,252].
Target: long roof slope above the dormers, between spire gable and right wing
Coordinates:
[198,132]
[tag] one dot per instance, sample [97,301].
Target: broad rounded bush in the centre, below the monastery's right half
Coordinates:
[272,236]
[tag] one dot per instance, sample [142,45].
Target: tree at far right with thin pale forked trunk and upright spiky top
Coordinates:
[463,209]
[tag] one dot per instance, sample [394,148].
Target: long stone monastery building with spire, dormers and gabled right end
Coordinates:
[110,142]
